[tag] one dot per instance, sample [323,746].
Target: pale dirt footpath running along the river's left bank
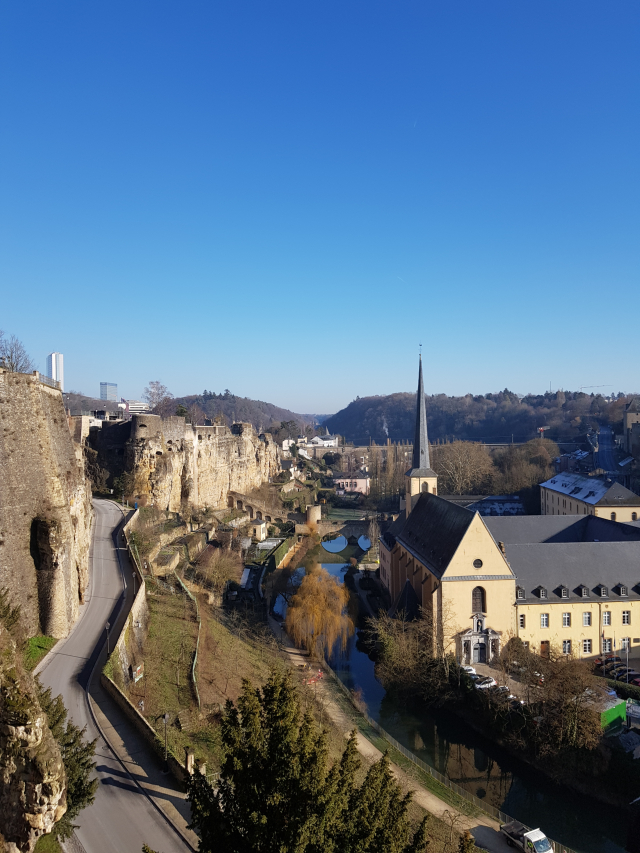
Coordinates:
[484,829]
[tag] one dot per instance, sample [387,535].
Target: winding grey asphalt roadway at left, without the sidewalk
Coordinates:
[122,818]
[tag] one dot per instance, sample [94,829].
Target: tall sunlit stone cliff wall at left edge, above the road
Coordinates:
[45,507]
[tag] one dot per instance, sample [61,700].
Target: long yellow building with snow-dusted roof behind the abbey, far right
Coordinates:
[575,494]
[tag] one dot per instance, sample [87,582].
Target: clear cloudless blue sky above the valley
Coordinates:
[286,198]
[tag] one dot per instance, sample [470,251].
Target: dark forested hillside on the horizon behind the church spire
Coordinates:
[488,417]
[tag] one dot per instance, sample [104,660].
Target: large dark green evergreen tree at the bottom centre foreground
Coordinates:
[277,794]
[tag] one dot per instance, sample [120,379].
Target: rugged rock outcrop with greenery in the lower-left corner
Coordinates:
[32,776]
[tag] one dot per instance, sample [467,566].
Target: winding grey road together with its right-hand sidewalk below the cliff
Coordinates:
[123,816]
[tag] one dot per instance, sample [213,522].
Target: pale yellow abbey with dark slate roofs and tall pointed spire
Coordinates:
[567,583]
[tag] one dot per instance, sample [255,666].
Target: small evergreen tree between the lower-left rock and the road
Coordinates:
[77,756]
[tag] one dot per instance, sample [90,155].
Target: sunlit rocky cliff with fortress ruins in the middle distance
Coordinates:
[179,467]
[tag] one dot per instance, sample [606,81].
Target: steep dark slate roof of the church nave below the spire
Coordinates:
[434,530]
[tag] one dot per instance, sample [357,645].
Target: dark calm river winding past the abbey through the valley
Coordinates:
[475,763]
